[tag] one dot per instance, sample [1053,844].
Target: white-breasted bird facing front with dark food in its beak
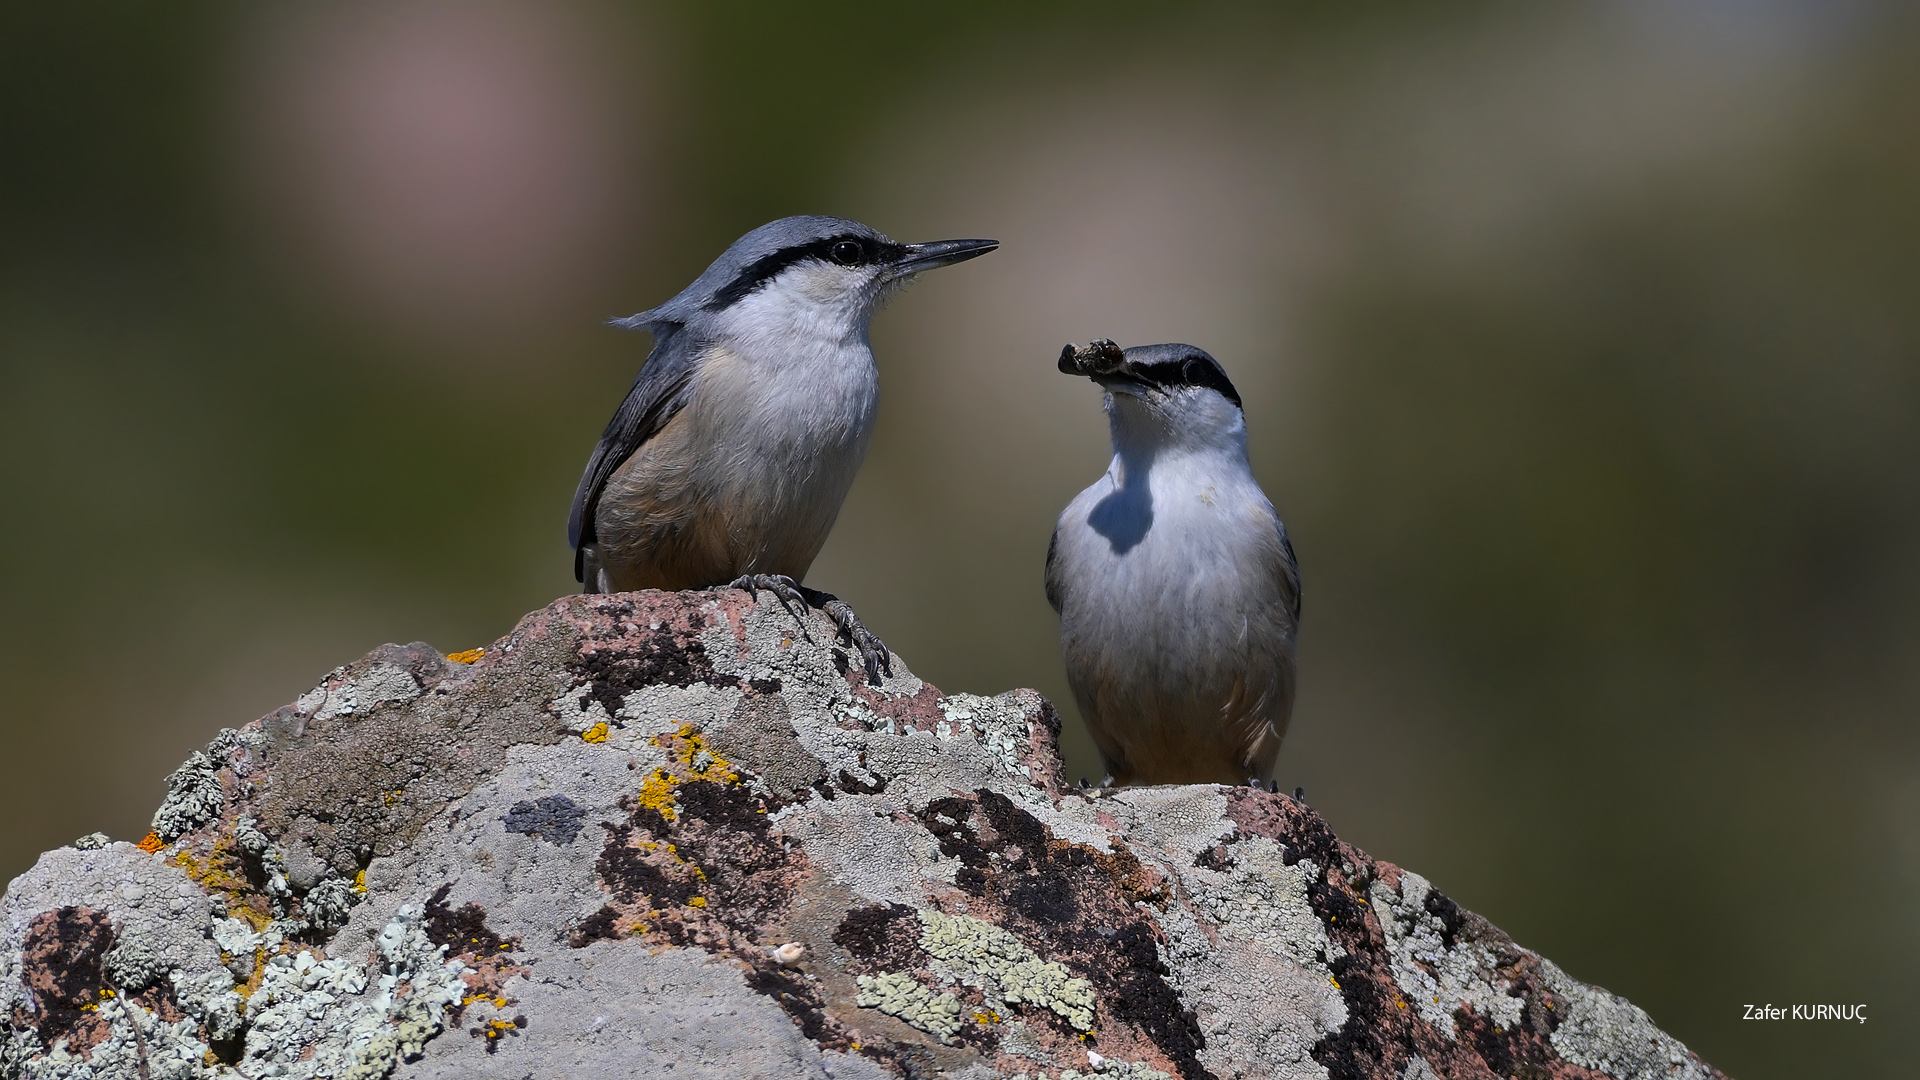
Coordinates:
[1174,579]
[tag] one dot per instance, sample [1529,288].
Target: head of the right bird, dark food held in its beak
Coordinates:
[1168,395]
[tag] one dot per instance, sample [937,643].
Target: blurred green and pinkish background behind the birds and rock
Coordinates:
[1581,353]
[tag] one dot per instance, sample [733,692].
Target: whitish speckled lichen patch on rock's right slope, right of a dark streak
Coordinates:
[1439,975]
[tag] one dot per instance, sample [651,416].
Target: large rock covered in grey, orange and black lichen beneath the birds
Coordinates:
[679,835]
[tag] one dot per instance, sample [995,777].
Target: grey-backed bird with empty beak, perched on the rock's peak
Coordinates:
[729,460]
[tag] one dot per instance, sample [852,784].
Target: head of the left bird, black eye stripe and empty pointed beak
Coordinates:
[805,276]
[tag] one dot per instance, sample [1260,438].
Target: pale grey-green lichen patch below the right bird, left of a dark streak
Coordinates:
[1264,900]
